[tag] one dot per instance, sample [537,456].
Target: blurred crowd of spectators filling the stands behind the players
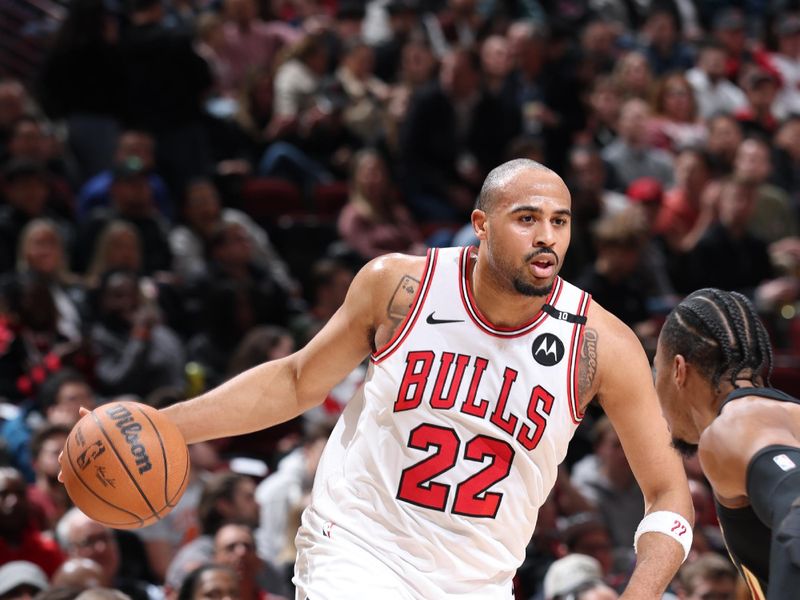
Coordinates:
[187,188]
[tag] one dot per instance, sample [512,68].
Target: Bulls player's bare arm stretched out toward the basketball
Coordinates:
[280,390]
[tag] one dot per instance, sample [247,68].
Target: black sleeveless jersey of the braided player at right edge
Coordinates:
[746,536]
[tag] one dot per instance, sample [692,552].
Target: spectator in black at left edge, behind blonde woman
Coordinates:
[25,189]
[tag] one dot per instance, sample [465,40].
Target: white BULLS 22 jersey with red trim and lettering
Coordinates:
[439,464]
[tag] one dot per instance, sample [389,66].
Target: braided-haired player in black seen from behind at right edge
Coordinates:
[712,375]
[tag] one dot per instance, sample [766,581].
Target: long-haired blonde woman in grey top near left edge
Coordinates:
[41,251]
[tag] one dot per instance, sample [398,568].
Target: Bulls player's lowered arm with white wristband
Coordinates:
[626,392]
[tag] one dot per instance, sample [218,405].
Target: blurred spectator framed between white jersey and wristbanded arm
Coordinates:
[605,479]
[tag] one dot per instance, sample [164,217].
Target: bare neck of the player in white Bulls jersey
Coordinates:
[502,305]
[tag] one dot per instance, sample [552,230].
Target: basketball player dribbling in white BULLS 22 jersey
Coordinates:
[482,363]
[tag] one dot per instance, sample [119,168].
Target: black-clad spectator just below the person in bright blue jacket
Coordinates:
[131,201]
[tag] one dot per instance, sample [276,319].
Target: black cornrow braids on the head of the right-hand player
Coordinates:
[721,335]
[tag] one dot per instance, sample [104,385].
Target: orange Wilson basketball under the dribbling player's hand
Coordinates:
[125,465]
